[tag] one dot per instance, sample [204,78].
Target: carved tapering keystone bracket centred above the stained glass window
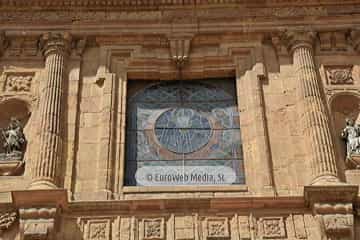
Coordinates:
[180,49]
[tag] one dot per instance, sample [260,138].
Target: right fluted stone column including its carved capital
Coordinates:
[313,114]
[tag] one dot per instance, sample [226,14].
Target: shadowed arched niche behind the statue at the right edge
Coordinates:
[344,105]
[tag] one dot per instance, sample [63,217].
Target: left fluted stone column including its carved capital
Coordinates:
[55,49]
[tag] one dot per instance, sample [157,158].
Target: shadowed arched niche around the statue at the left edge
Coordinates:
[21,110]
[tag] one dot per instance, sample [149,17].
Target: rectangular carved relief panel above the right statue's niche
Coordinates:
[337,75]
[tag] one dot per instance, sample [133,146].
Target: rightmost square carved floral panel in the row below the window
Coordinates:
[272,227]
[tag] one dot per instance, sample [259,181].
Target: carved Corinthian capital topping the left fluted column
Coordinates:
[55,43]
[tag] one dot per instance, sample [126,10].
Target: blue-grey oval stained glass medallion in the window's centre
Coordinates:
[182,130]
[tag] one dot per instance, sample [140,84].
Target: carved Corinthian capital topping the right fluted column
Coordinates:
[295,39]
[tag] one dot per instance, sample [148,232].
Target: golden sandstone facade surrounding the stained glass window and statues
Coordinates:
[68,77]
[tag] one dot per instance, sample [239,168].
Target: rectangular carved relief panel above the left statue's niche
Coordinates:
[18,82]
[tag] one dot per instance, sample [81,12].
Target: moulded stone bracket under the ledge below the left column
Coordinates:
[37,223]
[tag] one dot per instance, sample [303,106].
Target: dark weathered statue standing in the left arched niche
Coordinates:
[14,141]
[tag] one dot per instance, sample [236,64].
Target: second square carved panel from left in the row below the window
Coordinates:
[153,228]
